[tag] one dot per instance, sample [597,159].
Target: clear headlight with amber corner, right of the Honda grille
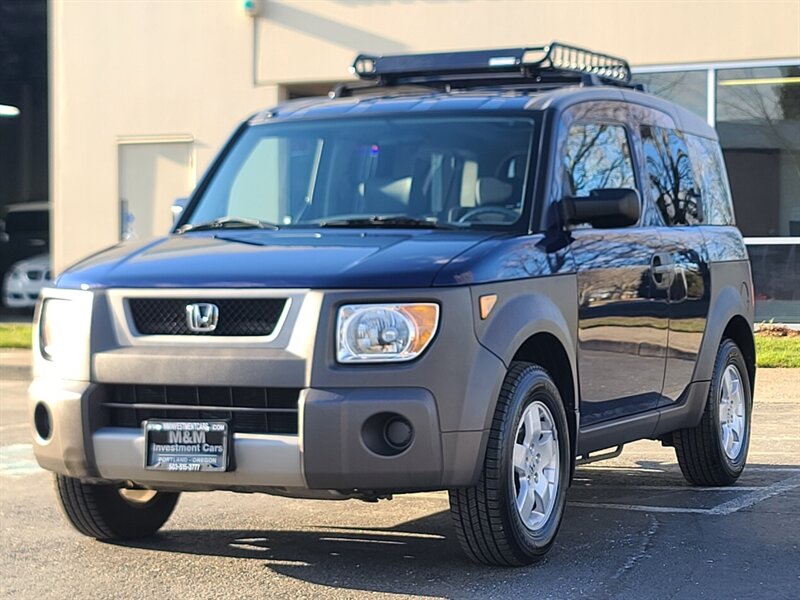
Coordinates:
[385,332]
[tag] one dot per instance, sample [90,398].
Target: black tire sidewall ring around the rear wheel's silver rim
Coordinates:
[729,354]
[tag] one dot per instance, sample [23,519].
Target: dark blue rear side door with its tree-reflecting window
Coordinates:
[672,186]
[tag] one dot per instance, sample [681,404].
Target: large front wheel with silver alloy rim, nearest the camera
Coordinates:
[489,526]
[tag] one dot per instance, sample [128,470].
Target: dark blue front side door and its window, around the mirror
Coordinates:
[622,303]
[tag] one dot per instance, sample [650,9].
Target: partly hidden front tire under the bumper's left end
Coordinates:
[103,512]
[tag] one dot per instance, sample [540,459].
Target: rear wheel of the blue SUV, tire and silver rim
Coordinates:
[708,455]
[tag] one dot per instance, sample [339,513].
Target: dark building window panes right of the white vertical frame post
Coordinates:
[758,120]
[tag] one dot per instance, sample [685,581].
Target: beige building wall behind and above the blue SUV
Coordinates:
[140,69]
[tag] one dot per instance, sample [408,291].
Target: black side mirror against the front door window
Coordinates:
[603,208]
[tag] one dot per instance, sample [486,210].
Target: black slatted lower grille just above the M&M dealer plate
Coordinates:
[249,409]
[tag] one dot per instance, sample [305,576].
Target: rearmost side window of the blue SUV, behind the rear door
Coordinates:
[709,169]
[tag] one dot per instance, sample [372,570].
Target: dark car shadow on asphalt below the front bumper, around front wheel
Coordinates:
[418,557]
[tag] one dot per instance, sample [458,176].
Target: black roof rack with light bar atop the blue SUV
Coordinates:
[554,64]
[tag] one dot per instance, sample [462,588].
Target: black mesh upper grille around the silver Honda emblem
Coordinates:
[237,317]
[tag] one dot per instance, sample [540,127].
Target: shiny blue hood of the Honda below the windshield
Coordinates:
[352,258]
